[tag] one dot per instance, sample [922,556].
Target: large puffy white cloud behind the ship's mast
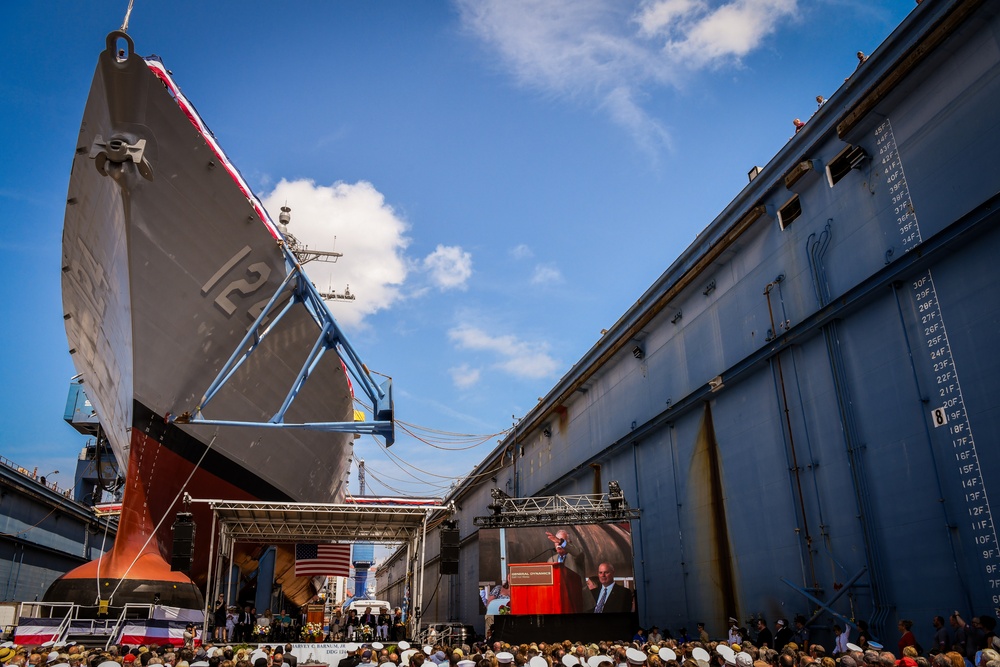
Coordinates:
[353,219]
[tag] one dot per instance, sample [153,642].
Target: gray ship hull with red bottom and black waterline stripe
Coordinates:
[167,261]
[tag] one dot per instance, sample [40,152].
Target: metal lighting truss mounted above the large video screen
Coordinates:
[556,510]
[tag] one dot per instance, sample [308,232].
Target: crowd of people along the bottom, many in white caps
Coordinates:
[956,643]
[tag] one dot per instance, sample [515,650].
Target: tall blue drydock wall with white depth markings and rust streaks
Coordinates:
[815,398]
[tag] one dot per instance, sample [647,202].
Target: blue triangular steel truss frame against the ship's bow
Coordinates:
[331,337]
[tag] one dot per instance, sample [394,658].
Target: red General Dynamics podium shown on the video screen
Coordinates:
[544,588]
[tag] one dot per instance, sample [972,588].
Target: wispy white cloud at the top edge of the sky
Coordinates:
[610,51]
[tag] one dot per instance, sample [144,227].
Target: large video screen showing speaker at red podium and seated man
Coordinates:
[580,569]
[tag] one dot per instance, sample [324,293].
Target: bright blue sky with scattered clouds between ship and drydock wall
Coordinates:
[504,177]
